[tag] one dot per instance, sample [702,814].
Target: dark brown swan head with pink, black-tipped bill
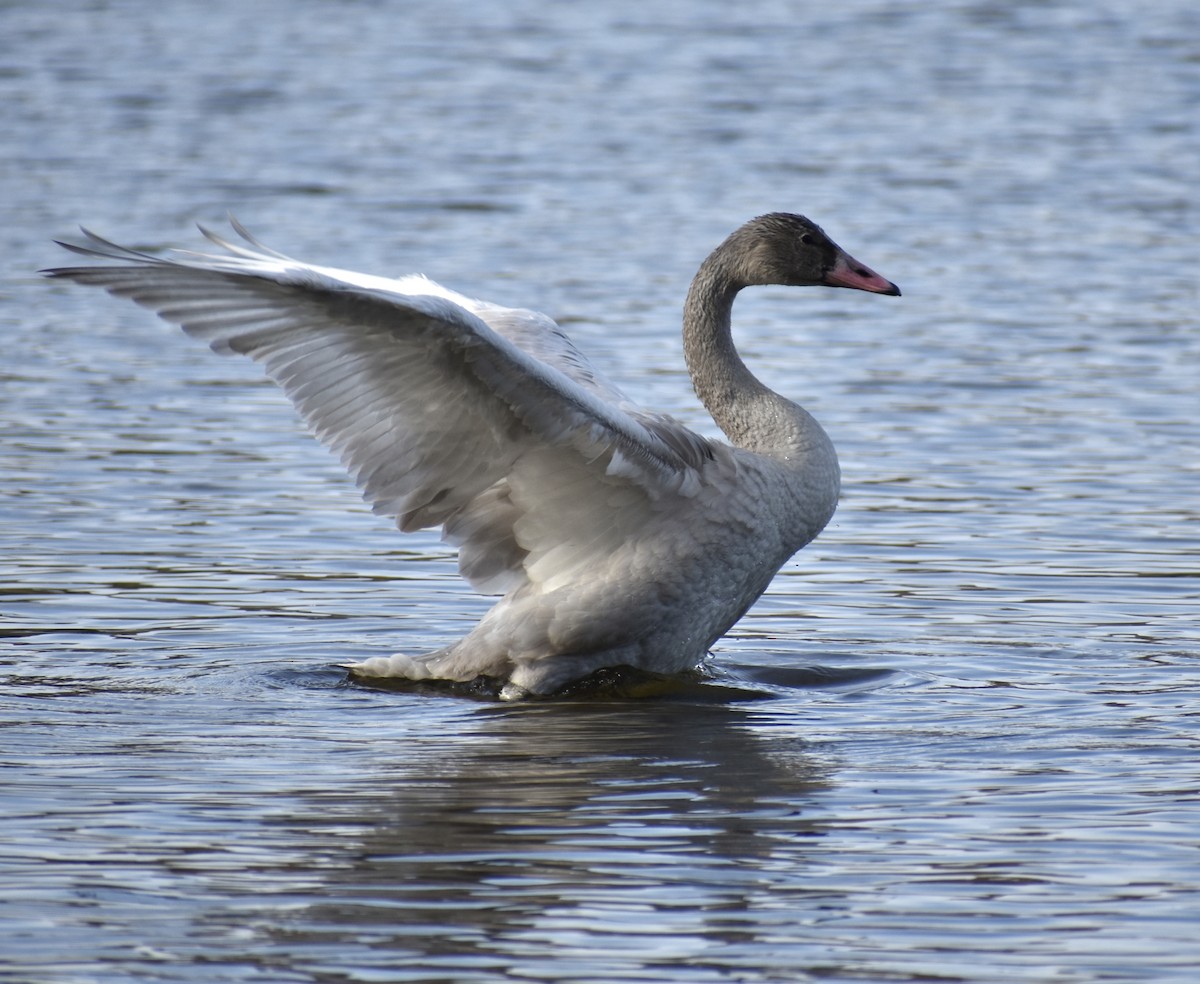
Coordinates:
[791,250]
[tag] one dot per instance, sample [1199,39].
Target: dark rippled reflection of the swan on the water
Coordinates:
[581,825]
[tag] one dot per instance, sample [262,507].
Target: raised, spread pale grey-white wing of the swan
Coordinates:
[430,399]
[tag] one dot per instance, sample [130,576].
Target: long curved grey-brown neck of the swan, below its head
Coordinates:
[752,416]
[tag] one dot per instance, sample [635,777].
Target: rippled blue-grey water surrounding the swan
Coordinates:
[957,741]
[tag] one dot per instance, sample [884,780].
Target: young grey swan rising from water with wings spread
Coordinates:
[615,536]
